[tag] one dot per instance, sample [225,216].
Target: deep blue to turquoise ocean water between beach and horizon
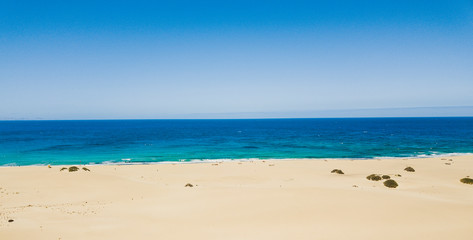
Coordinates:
[142,141]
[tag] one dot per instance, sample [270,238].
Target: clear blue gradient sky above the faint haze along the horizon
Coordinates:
[159,59]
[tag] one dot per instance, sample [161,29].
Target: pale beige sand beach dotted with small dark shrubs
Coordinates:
[297,199]
